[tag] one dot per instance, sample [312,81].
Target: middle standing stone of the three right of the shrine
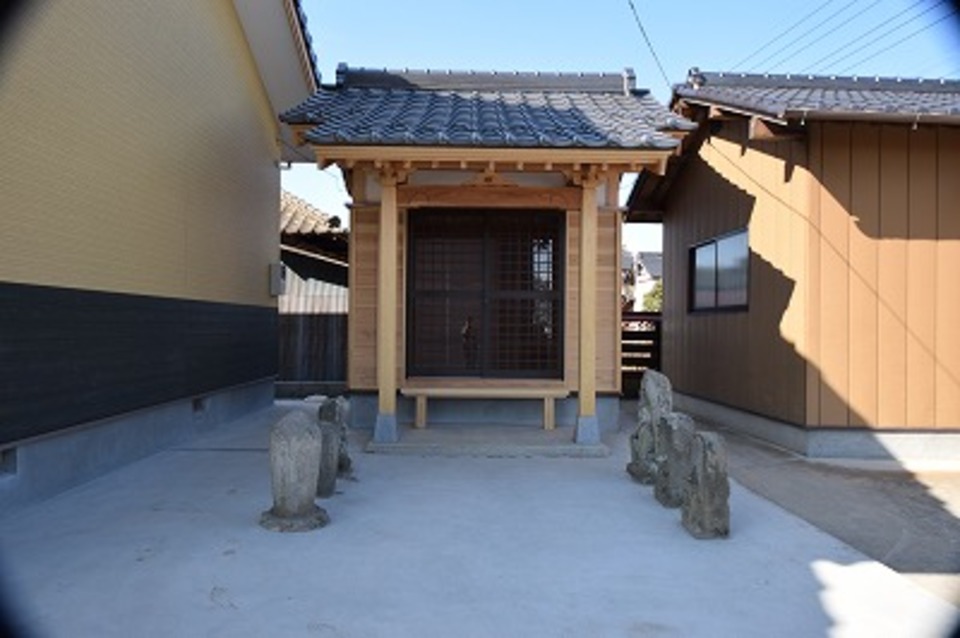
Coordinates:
[674,438]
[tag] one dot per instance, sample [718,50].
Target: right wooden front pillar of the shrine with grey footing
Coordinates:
[588,428]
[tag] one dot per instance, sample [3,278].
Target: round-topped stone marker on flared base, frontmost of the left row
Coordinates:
[294,468]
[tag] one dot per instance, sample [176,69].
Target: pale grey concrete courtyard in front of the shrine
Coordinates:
[443,546]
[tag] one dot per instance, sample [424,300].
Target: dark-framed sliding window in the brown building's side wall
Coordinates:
[719,273]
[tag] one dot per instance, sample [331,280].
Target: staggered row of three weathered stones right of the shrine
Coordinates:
[687,467]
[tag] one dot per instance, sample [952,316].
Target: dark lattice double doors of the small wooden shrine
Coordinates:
[485,293]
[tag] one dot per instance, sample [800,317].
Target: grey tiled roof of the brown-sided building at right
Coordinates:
[794,97]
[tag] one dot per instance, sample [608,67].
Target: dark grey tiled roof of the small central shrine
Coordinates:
[486,110]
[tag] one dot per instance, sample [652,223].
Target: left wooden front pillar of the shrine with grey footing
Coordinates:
[385,430]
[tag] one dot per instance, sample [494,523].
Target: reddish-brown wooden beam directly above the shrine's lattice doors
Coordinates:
[564,198]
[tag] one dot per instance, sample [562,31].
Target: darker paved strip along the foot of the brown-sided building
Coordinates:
[907,520]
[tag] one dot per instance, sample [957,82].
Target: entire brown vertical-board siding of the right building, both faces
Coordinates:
[854,315]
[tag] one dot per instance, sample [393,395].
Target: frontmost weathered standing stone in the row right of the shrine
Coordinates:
[706,502]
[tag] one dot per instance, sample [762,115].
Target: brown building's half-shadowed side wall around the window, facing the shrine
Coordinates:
[752,359]
